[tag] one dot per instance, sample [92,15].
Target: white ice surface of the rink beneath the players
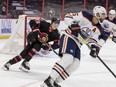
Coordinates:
[91,73]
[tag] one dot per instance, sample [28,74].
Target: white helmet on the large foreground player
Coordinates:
[99,10]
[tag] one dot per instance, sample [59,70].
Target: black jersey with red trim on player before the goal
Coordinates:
[53,35]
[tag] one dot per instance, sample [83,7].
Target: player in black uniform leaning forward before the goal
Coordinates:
[42,32]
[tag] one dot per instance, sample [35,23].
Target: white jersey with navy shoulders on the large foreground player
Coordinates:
[84,20]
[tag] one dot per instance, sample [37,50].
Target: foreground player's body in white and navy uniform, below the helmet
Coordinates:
[89,28]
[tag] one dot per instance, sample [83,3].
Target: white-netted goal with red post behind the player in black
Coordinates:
[17,40]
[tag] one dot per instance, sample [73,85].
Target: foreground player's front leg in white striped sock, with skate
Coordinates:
[59,69]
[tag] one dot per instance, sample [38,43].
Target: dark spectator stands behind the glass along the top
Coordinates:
[14,8]
